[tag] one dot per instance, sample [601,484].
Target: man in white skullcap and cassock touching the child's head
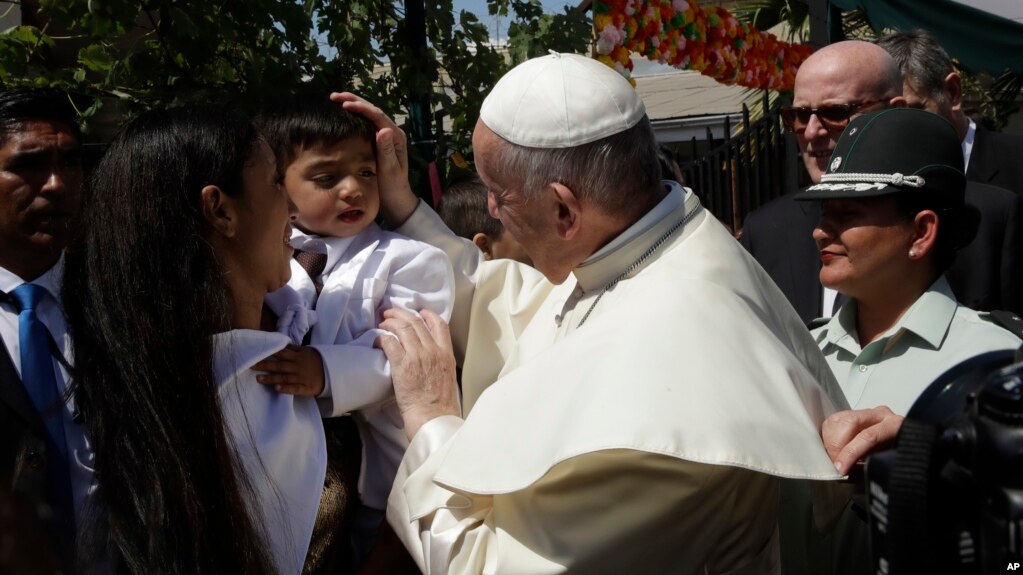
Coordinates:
[632,403]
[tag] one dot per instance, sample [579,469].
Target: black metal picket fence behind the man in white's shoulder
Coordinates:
[747,170]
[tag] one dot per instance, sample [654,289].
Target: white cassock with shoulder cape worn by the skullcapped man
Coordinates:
[648,440]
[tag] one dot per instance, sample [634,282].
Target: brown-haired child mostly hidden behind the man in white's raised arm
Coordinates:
[464,209]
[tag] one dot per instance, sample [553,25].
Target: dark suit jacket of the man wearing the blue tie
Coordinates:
[24,456]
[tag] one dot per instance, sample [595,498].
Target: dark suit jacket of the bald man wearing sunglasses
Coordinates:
[988,274]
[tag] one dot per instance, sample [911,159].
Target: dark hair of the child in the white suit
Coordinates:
[304,121]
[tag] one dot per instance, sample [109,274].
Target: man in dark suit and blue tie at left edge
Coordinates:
[45,457]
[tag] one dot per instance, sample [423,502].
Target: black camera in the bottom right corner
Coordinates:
[949,499]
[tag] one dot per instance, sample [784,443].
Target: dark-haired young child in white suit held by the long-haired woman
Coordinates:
[327,158]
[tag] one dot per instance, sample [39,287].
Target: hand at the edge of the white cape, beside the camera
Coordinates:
[853,435]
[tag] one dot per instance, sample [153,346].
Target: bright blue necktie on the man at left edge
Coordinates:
[39,380]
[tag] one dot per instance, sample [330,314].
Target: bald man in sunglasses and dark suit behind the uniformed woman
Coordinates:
[833,86]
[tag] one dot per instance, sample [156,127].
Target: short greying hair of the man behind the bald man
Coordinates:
[922,60]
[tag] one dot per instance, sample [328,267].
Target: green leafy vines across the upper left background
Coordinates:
[122,57]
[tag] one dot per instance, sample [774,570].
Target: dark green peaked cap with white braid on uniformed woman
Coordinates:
[896,151]
